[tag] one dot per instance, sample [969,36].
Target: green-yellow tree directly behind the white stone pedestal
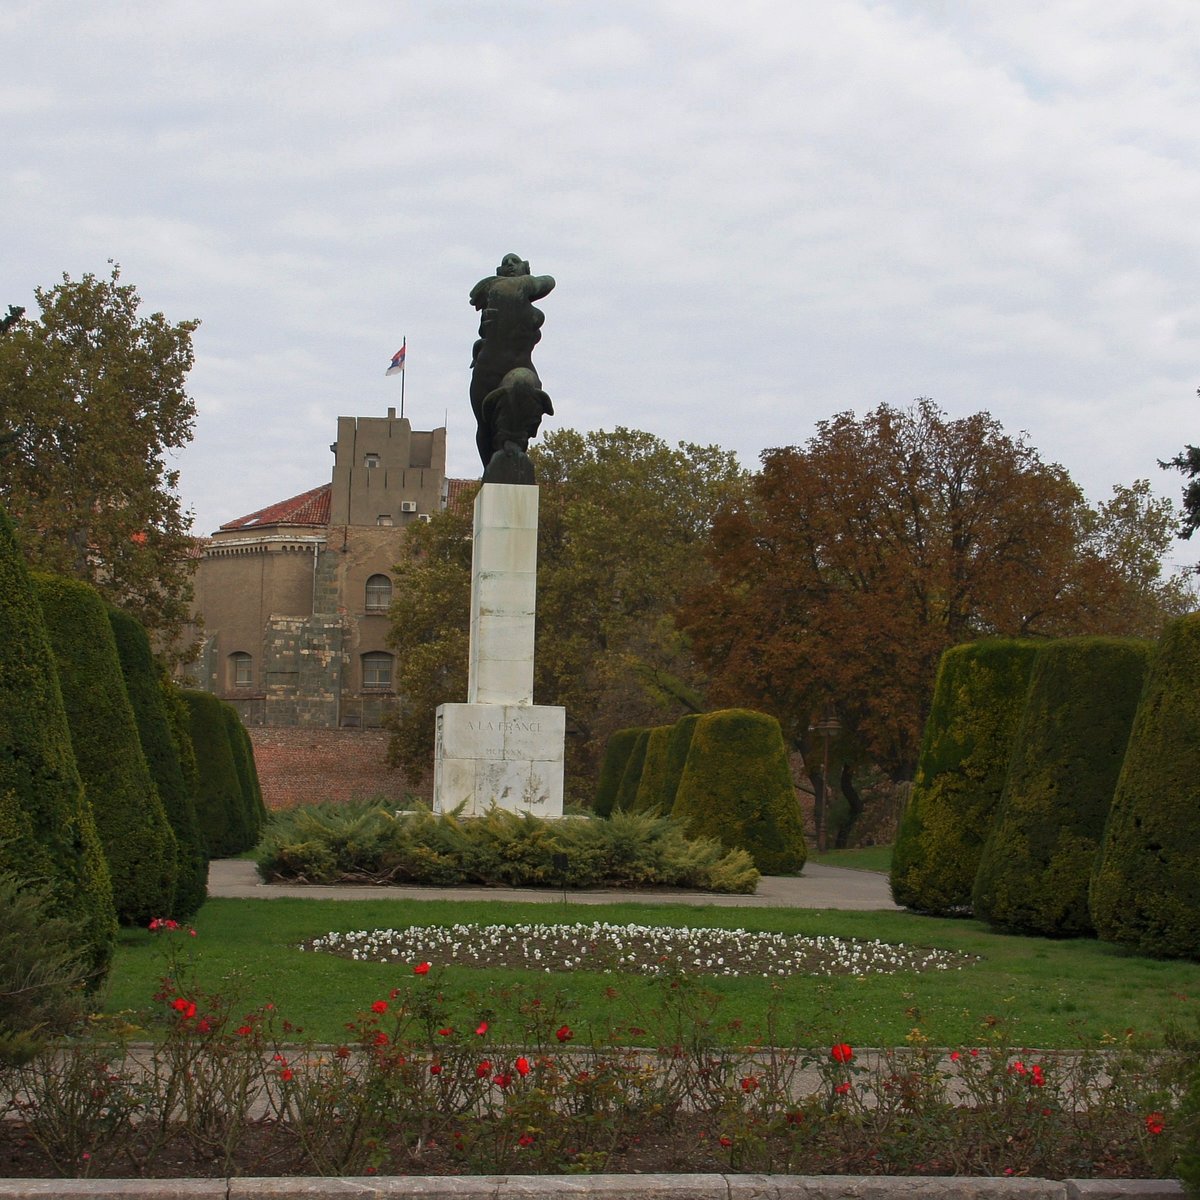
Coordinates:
[623,523]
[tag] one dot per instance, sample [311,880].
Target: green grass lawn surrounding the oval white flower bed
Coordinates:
[1054,994]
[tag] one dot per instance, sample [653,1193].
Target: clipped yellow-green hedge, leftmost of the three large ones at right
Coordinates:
[964,759]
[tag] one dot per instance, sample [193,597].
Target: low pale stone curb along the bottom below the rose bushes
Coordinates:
[599,1187]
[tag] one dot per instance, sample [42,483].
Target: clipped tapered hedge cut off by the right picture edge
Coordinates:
[1145,891]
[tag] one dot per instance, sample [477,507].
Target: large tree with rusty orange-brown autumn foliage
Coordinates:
[863,555]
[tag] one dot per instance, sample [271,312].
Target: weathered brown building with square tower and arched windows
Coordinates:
[293,599]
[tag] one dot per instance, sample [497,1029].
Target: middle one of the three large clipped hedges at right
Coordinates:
[1039,859]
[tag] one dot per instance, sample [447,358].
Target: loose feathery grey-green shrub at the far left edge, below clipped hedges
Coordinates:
[43,970]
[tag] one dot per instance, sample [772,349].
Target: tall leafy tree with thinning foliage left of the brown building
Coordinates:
[92,403]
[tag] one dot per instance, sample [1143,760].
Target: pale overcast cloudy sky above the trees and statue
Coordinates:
[759,214]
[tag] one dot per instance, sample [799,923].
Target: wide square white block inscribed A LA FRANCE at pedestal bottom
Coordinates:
[508,757]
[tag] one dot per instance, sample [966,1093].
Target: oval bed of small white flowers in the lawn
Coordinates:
[640,950]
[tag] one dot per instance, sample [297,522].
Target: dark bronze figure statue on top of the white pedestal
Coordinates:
[506,393]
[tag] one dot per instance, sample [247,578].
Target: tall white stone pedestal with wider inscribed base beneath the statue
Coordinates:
[500,748]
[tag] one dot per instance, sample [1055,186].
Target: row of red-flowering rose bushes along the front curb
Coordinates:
[421,1081]
